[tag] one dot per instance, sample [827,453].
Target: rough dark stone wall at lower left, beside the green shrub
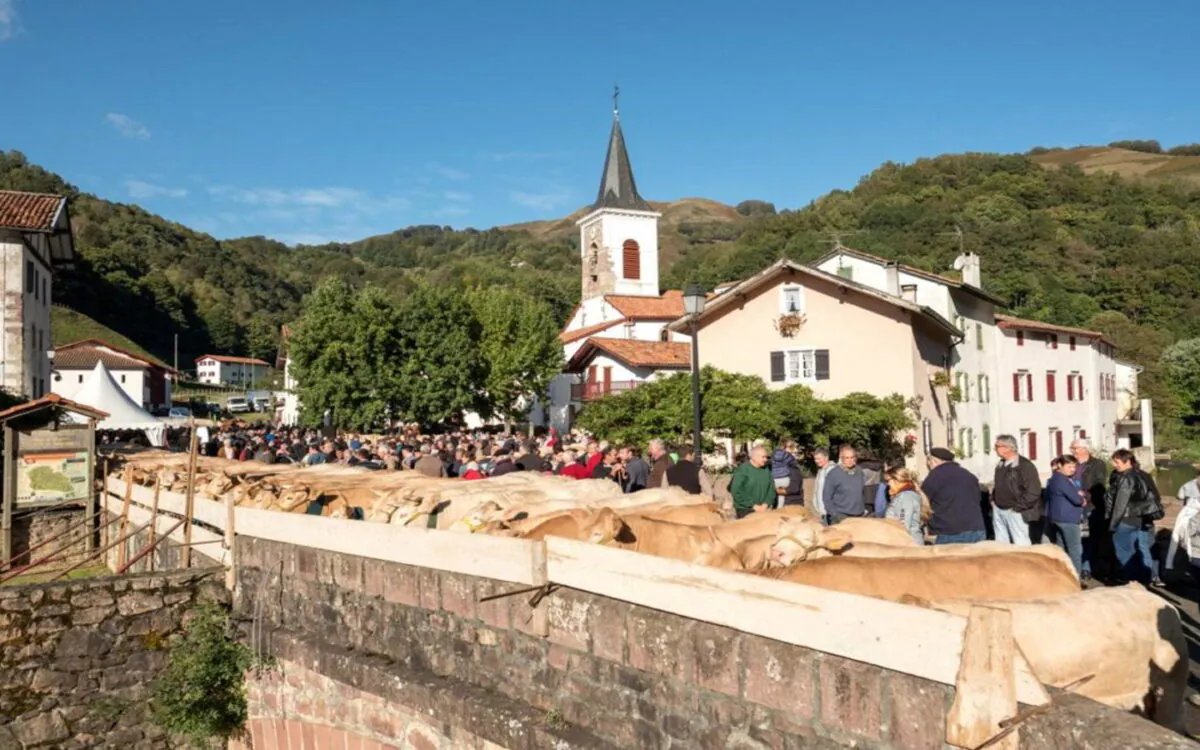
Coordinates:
[77,658]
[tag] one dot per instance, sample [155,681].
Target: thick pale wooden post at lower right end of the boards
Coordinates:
[986,689]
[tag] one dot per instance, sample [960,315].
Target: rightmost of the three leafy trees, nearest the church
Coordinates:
[519,344]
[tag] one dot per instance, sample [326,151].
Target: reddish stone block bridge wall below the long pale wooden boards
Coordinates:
[610,675]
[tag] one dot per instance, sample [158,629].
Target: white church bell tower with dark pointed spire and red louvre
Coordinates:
[620,237]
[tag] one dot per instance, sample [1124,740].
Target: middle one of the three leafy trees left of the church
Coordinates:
[441,374]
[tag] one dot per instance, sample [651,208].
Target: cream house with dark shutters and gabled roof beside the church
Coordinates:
[850,339]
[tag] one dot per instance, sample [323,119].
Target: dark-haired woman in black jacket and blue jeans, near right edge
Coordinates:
[1132,506]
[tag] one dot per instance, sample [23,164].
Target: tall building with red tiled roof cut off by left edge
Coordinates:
[35,238]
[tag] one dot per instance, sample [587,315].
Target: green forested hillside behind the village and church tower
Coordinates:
[1059,244]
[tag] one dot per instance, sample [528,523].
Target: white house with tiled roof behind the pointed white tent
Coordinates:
[147,381]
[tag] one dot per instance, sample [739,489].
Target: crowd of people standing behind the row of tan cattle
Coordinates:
[1103,520]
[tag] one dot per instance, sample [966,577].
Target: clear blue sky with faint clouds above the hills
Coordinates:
[314,122]
